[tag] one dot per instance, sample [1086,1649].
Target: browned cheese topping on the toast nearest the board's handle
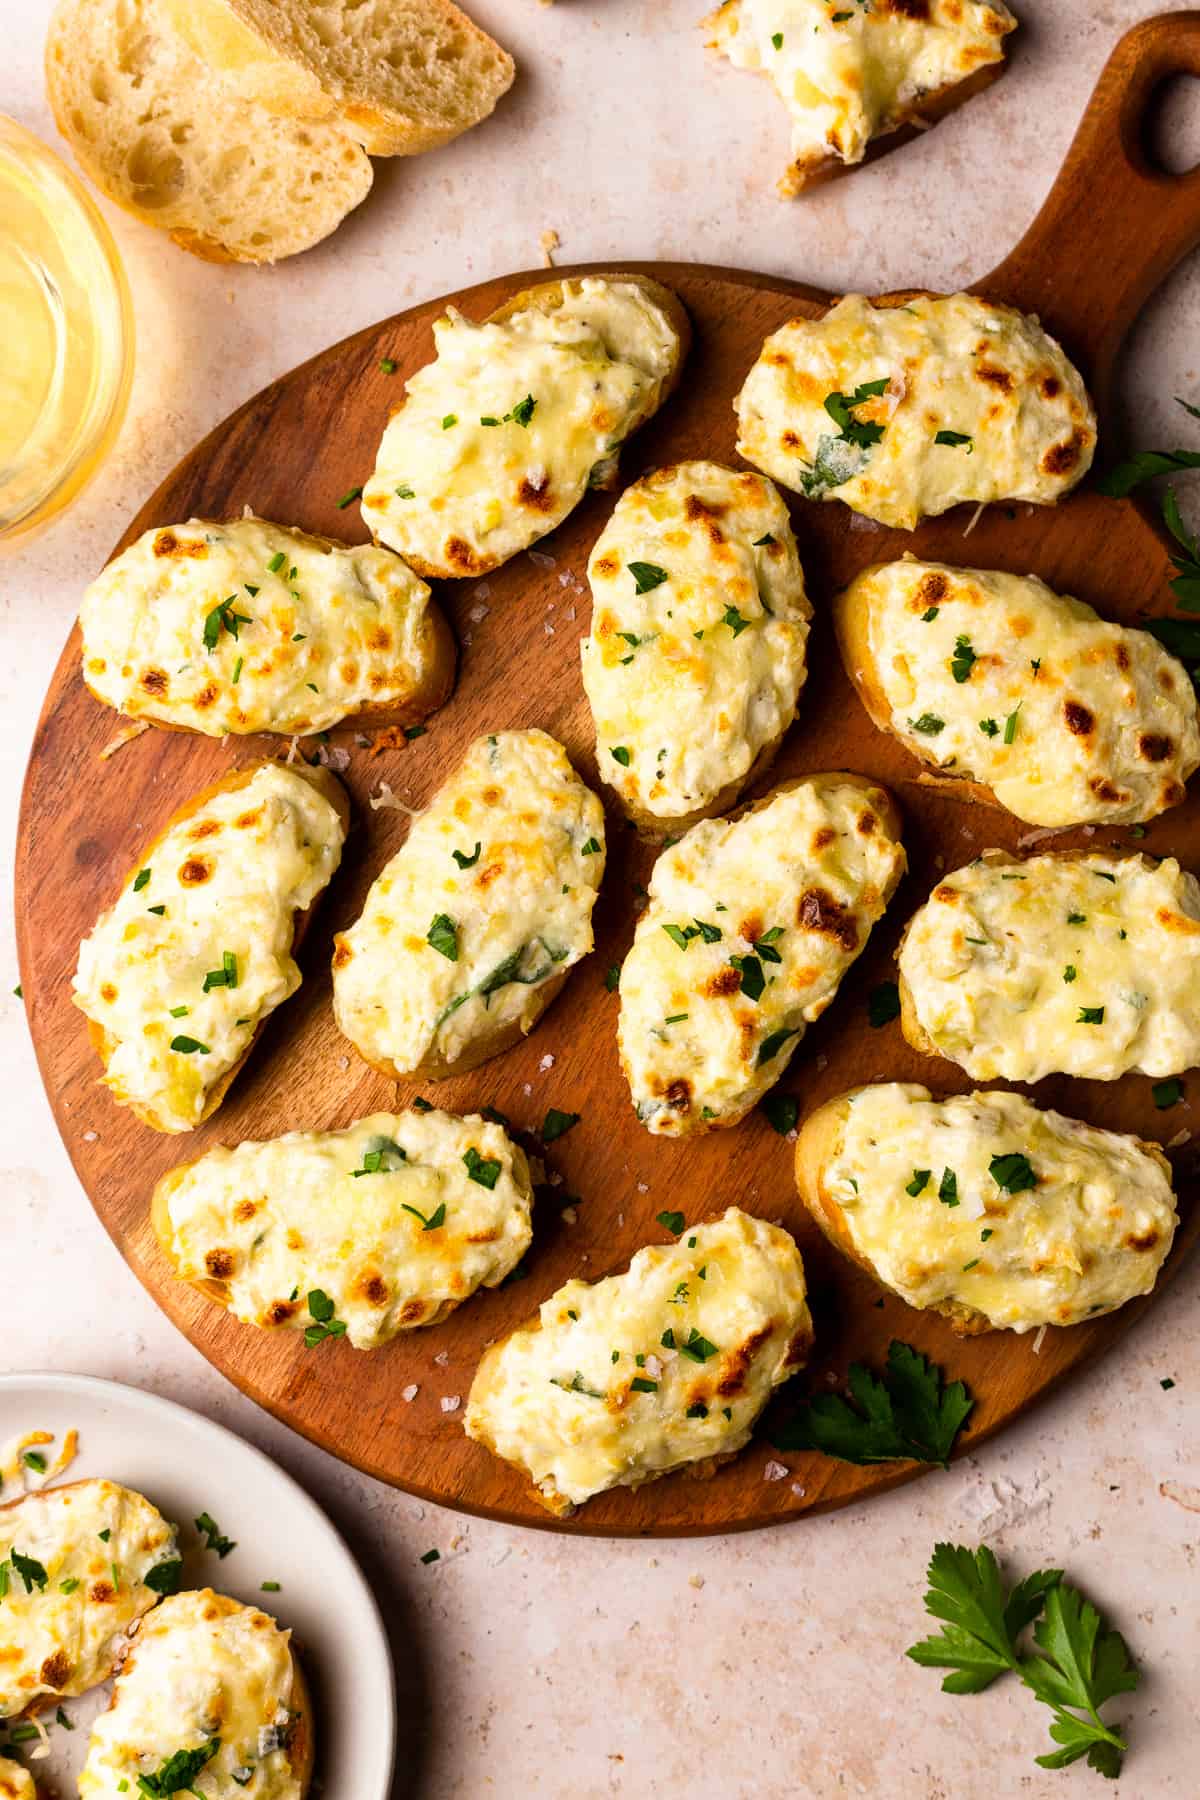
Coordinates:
[1017,413]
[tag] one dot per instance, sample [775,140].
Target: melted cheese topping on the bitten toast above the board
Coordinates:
[850,73]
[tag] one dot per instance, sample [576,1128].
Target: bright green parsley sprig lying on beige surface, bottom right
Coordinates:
[1082,1664]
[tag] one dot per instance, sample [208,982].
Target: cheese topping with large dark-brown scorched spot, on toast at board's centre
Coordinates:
[749,931]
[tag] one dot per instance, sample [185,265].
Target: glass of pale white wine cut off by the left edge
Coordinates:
[66,336]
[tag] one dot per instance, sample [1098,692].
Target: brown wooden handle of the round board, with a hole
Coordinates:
[1115,224]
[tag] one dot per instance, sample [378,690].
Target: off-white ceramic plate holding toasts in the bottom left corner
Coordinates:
[186,1466]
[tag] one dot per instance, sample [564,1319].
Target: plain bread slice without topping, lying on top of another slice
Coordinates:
[400,76]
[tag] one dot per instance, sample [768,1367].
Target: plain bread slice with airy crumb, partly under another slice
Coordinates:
[170,143]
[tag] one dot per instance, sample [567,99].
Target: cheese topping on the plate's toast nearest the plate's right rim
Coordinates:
[202,1669]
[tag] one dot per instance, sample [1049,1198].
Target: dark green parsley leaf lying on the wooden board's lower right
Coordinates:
[908,1416]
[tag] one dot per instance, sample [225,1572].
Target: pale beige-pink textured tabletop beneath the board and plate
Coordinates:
[766,1666]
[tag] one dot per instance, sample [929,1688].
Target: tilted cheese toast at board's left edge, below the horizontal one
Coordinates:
[168,1101]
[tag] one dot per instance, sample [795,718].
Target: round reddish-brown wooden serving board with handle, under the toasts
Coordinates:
[1107,235]
